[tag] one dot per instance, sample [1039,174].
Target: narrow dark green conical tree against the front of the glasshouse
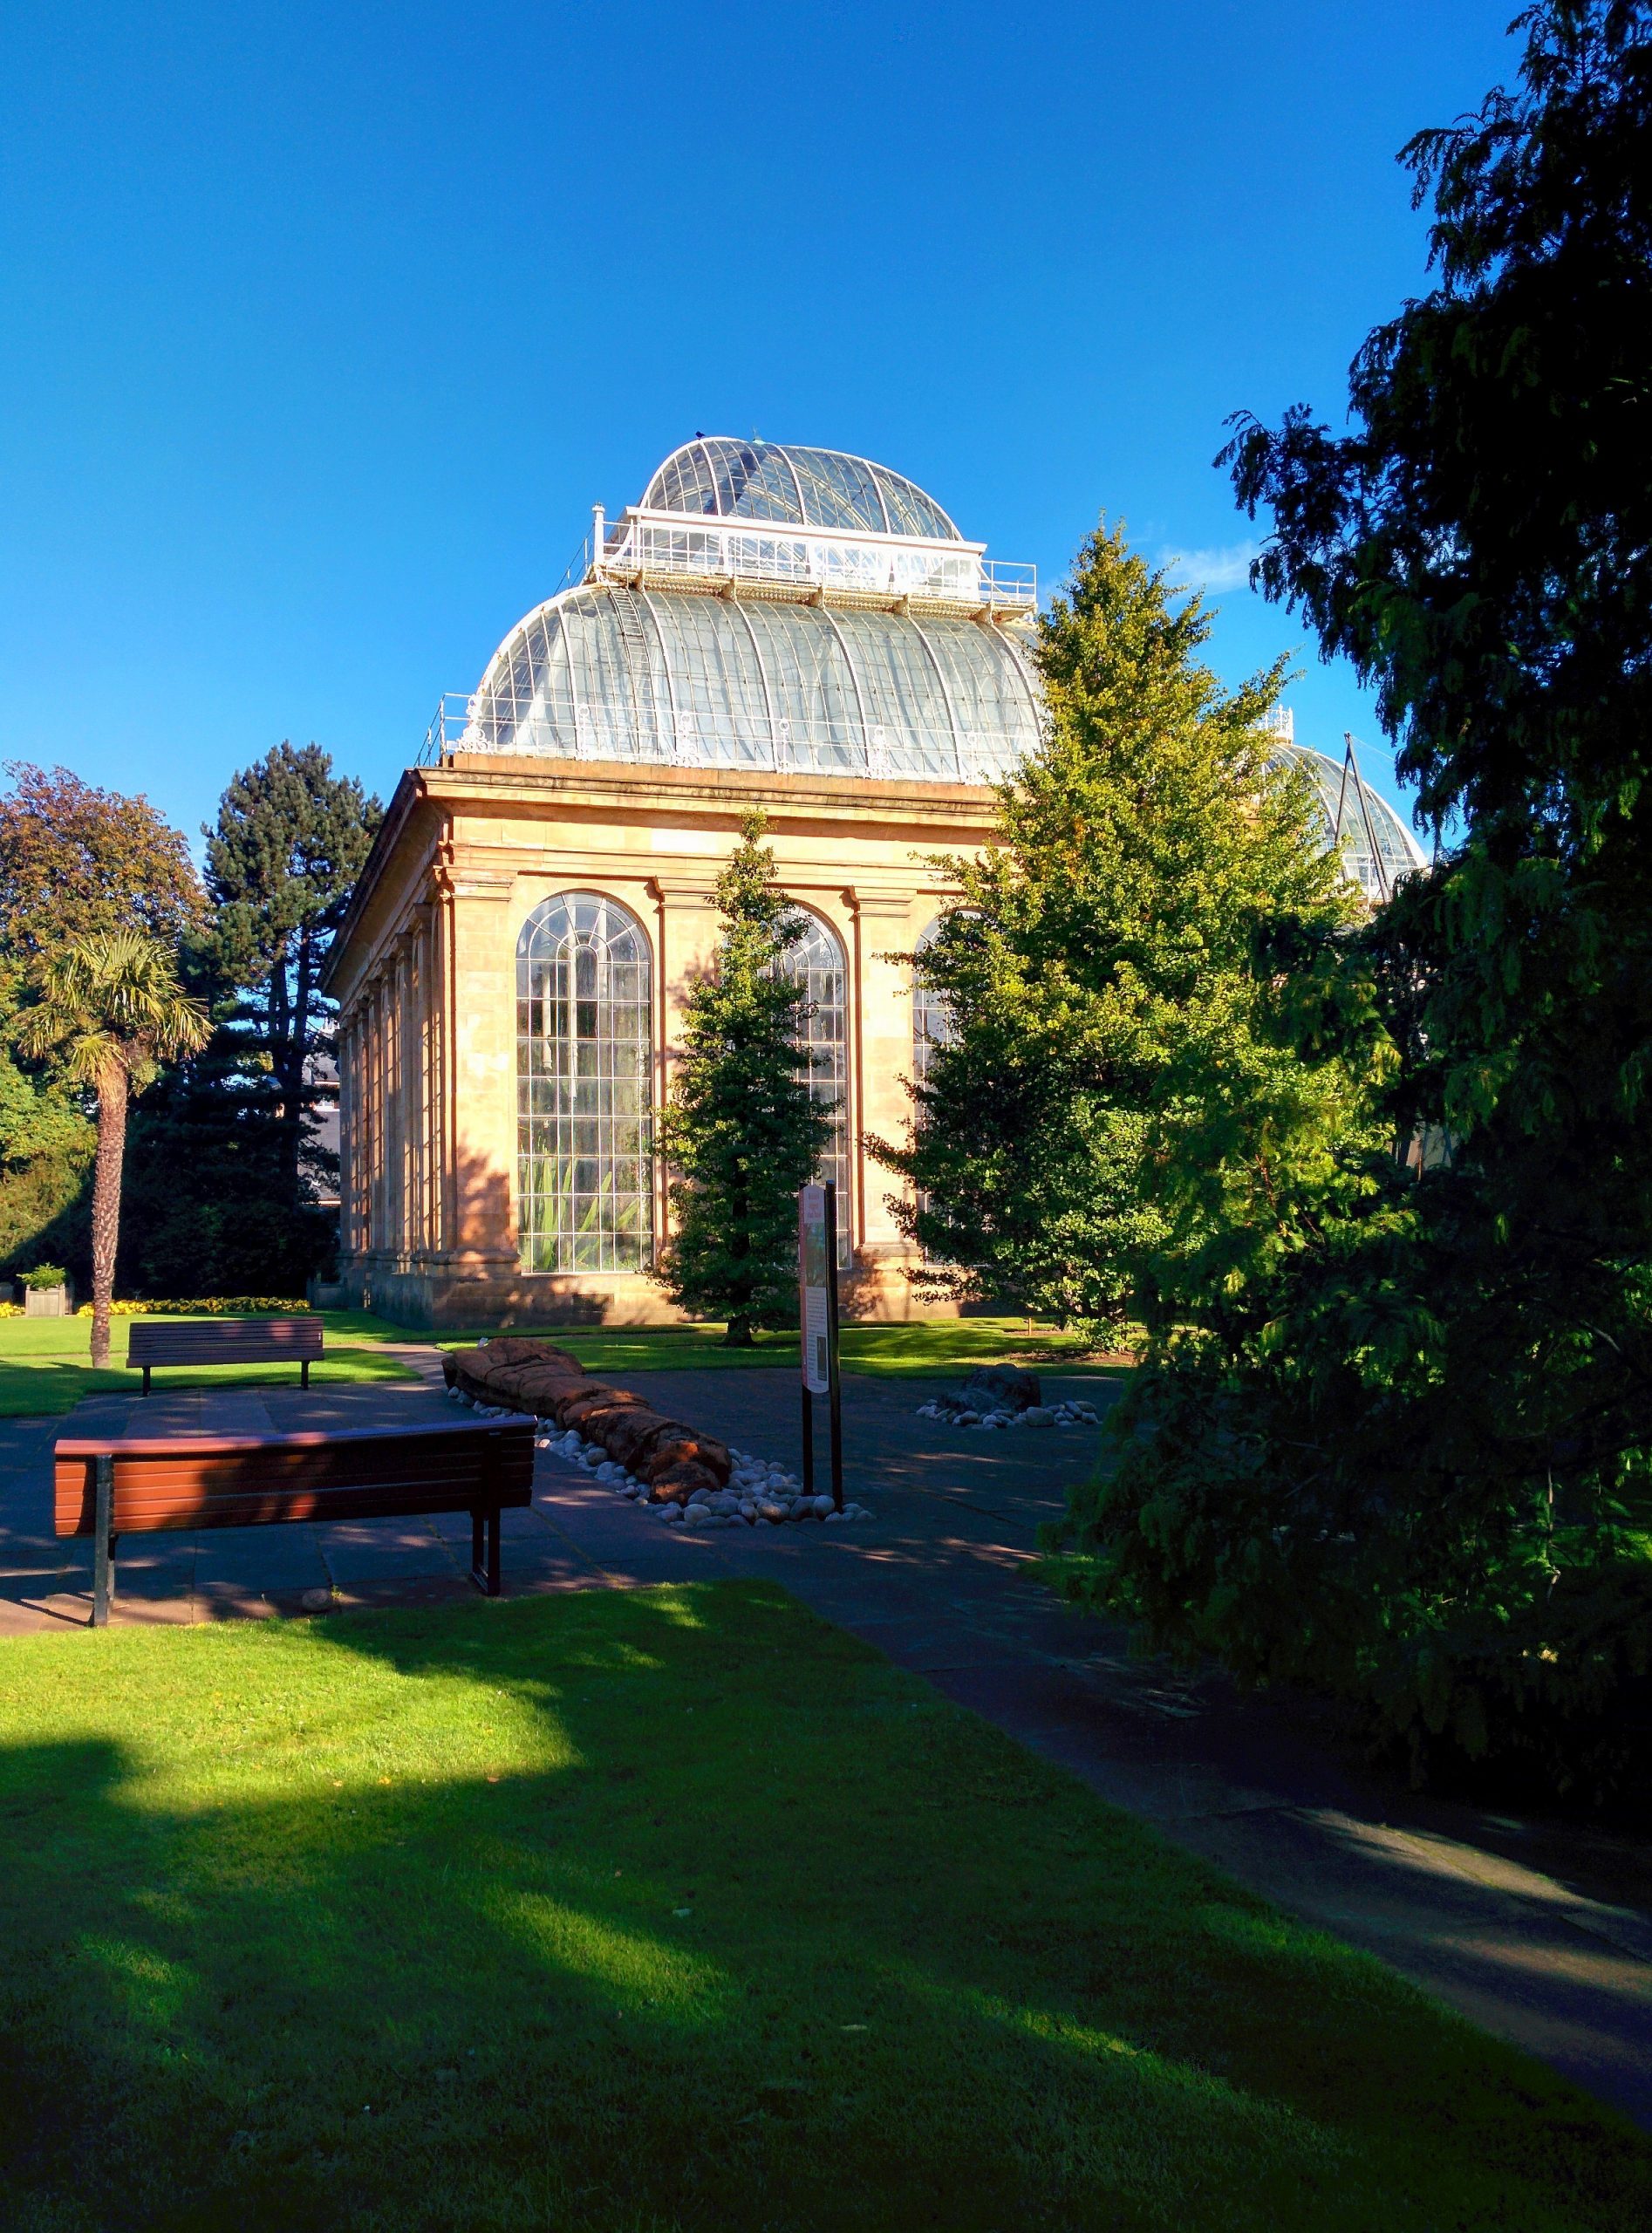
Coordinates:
[742,1129]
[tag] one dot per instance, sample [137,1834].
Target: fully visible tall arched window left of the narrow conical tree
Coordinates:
[584,1104]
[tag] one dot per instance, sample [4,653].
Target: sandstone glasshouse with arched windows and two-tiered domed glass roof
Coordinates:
[771,626]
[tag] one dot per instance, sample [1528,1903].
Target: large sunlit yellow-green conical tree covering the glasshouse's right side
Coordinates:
[1102,957]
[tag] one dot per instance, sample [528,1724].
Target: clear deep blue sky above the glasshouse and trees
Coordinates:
[325,327]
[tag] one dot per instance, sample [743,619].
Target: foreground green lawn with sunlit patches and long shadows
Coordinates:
[678,1910]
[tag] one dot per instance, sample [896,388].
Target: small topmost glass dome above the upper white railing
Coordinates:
[715,477]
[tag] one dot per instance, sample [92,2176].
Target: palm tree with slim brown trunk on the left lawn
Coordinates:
[113,1013]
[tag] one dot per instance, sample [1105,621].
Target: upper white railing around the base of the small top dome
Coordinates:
[800,562]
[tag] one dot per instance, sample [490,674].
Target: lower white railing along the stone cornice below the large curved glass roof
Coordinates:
[646,736]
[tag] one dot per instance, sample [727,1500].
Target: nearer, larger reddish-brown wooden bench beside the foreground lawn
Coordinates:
[115,1486]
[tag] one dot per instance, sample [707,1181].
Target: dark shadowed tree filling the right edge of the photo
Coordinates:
[1392,1437]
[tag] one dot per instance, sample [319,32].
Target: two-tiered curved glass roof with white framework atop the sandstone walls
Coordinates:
[820,615]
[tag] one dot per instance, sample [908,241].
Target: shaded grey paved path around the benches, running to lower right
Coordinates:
[1537,1930]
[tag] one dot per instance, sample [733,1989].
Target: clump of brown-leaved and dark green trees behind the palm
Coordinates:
[224,1156]
